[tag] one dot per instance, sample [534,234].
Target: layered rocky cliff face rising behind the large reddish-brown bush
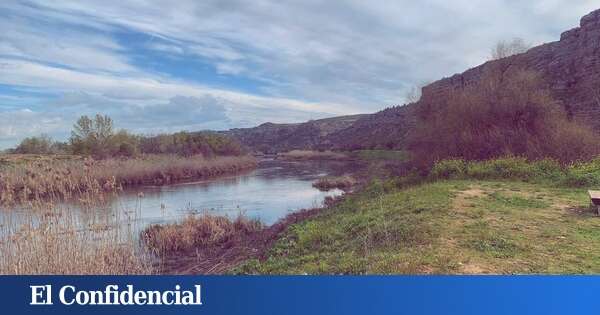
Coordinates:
[570,67]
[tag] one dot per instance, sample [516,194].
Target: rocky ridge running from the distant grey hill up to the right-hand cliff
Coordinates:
[570,66]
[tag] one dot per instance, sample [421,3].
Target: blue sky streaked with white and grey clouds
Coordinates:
[165,66]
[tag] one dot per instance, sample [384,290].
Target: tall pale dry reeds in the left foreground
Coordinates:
[43,238]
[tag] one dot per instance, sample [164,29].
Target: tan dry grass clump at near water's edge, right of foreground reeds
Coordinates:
[197,232]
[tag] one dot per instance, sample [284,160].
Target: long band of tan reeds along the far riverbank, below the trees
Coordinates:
[54,179]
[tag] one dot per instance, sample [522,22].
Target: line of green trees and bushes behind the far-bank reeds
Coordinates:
[96,136]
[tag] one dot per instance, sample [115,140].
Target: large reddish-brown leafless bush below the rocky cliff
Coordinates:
[501,114]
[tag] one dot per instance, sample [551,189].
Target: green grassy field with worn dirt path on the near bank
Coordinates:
[445,227]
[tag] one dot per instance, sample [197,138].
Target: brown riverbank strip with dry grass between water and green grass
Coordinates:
[239,240]
